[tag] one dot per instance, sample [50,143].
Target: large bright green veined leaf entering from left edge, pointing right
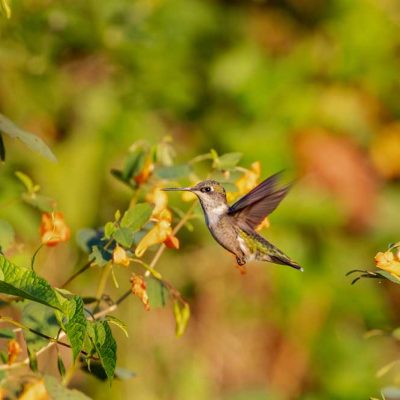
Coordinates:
[22,282]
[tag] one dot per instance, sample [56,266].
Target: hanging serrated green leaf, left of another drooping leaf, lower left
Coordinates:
[75,327]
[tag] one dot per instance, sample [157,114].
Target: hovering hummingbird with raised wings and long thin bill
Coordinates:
[234,227]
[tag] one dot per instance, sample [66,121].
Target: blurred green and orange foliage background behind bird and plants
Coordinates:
[310,86]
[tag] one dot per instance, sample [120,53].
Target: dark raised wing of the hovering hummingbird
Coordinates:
[252,208]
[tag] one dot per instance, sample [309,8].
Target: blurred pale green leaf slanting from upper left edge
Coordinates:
[30,140]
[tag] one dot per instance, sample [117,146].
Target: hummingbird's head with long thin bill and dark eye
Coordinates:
[210,193]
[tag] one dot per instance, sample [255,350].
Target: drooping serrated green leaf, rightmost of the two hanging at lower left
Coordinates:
[105,346]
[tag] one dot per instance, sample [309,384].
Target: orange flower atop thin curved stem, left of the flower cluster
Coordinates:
[53,229]
